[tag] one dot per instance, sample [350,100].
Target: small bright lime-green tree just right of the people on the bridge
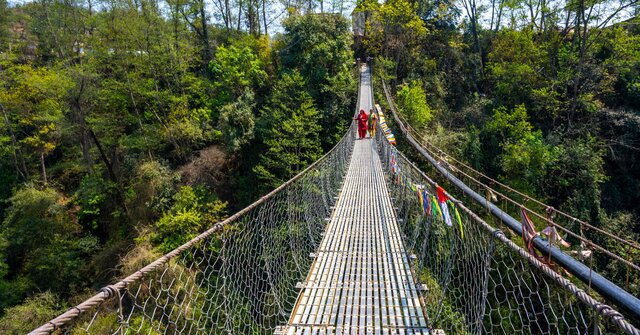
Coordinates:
[412,102]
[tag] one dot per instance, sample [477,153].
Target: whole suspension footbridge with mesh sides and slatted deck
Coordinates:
[355,244]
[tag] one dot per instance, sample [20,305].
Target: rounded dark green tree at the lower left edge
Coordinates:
[42,238]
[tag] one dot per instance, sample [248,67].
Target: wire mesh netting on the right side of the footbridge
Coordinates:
[476,280]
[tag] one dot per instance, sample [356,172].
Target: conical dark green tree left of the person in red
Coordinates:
[291,132]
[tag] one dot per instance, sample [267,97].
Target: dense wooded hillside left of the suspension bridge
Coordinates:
[129,127]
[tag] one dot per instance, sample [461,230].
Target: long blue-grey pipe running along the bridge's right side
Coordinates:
[585,273]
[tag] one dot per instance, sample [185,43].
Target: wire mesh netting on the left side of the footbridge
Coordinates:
[237,278]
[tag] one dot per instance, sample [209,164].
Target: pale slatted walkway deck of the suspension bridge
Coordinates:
[360,281]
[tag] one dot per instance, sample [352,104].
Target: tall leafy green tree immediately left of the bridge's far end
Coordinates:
[318,47]
